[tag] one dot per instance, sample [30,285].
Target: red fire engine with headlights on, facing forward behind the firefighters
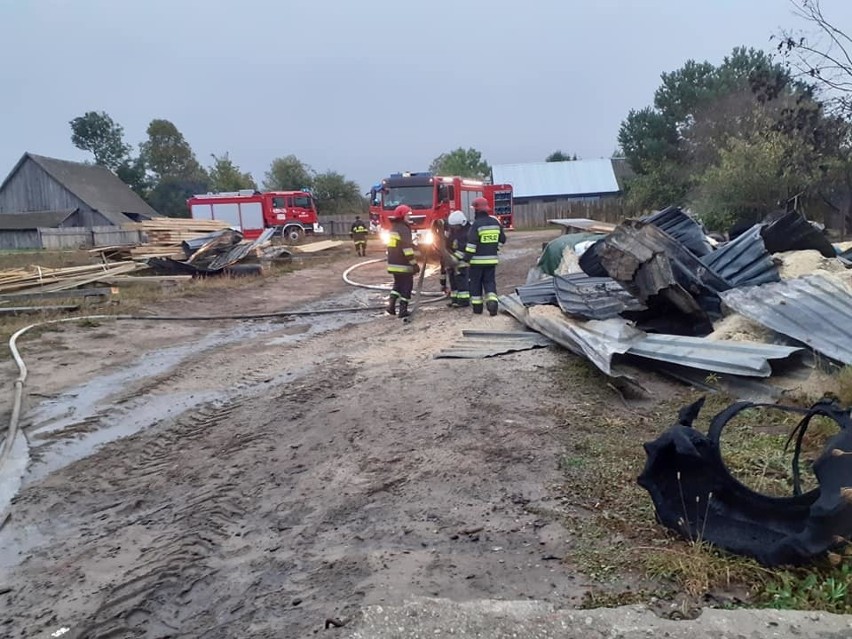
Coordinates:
[433,197]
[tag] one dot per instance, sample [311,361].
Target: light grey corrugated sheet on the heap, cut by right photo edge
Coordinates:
[812,309]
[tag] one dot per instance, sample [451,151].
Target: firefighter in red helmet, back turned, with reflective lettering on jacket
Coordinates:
[483,243]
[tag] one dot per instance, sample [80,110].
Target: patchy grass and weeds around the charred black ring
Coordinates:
[614,537]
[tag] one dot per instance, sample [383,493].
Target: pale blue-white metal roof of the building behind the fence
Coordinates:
[576,178]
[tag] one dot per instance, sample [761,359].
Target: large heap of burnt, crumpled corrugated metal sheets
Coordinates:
[648,293]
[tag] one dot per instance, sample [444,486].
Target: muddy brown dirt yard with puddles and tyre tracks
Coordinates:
[236,479]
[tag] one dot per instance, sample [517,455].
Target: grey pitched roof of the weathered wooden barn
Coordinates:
[95,185]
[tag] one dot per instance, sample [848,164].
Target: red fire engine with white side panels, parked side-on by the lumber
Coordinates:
[252,211]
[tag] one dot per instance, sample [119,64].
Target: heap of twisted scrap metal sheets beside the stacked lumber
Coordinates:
[224,252]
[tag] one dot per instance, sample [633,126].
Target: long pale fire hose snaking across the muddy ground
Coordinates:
[12,431]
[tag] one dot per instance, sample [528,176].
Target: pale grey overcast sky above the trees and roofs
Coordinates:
[364,87]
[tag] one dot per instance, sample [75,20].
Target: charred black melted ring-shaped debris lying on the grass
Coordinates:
[695,494]
